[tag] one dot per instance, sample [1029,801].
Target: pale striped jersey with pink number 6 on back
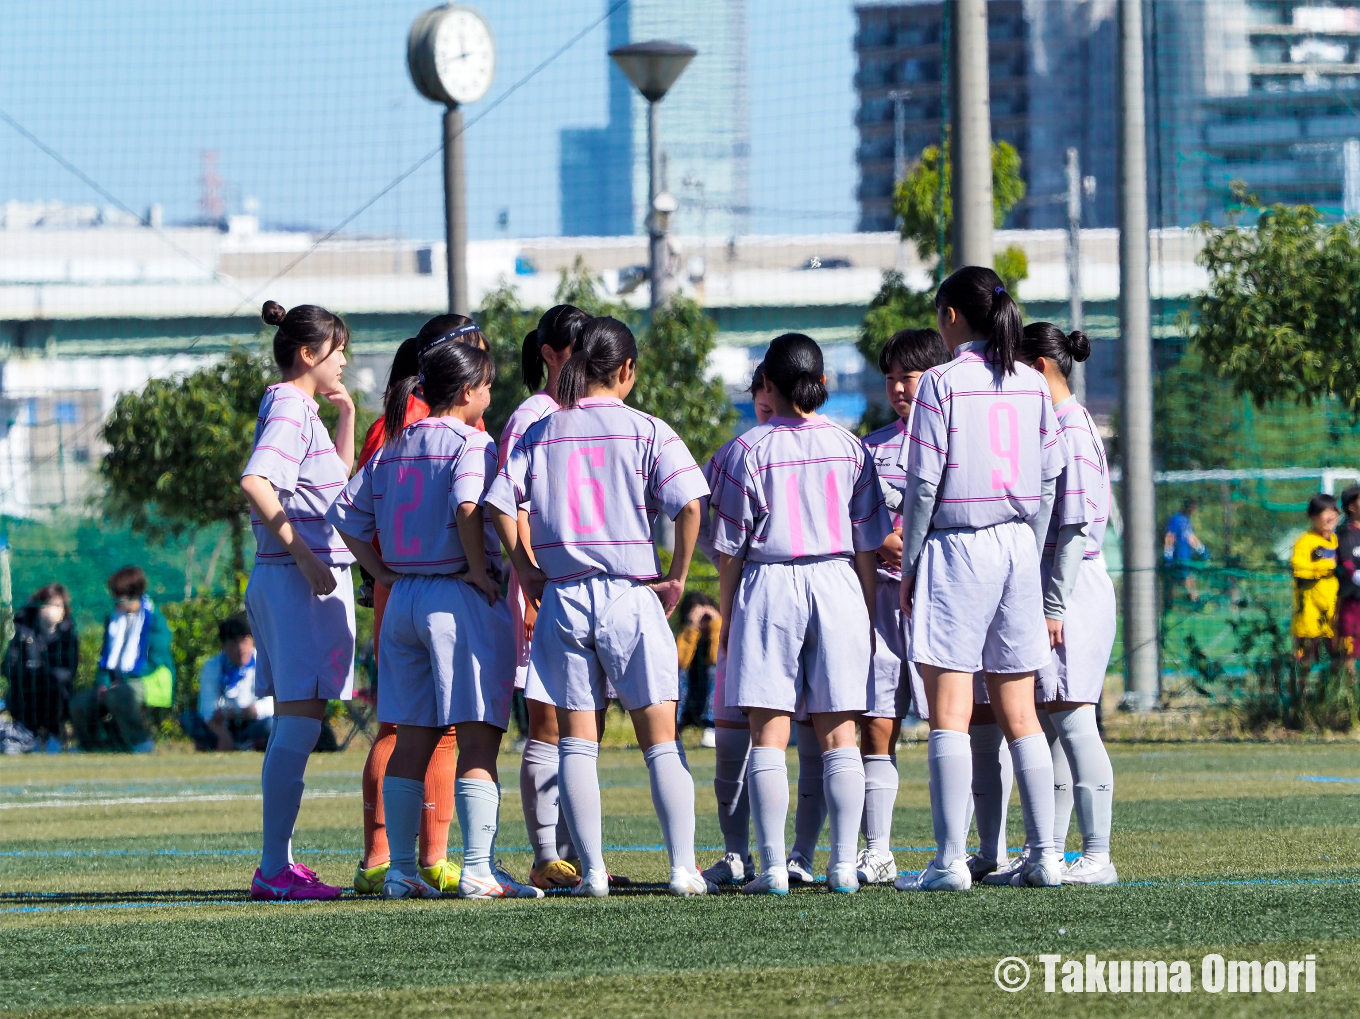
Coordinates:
[594,480]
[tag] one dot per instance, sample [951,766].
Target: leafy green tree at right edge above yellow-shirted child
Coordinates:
[1280,318]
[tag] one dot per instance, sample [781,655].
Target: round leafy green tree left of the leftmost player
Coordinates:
[177,448]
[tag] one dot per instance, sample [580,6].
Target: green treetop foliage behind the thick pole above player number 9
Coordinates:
[917,202]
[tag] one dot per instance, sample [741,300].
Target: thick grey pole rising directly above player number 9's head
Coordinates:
[972,135]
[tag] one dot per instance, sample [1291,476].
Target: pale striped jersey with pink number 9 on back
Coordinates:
[987,439]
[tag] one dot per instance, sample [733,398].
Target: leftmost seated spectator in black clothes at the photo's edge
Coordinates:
[41,666]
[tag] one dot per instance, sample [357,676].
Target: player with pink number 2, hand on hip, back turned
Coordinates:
[448,639]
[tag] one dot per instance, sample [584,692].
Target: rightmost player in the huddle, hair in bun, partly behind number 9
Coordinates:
[1081,607]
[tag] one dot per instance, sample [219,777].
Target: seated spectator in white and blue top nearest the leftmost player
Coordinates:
[231,716]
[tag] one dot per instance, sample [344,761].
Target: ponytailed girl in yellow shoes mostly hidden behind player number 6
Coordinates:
[546,350]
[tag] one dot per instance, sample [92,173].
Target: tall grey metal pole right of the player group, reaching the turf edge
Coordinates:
[1139,497]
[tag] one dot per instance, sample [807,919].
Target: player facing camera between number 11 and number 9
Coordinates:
[904,360]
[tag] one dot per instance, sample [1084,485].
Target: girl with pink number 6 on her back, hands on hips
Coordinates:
[603,605]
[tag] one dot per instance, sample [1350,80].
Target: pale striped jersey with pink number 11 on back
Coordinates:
[799,488]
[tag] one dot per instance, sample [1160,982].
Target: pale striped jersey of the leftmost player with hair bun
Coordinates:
[293,451]
